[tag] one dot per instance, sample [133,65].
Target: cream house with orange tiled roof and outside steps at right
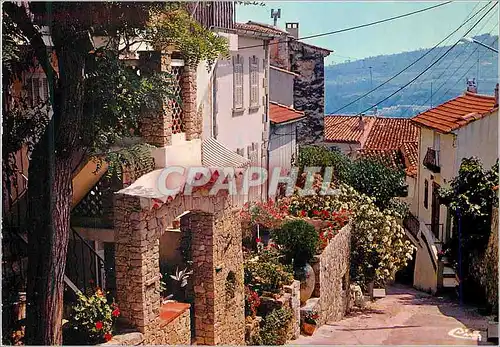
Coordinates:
[462,127]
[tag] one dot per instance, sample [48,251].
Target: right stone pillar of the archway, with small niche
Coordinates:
[218,278]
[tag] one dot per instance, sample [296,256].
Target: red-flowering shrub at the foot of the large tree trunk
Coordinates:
[92,319]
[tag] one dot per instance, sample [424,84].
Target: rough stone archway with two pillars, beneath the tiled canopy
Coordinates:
[216,252]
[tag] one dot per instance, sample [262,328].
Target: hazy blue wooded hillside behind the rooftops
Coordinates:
[346,81]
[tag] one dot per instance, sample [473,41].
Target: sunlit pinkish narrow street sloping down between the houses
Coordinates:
[404,317]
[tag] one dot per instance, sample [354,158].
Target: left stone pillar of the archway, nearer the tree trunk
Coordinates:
[137,262]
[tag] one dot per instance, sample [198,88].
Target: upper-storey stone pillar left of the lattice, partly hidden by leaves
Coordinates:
[156,125]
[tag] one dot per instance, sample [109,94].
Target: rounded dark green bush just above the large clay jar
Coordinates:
[299,240]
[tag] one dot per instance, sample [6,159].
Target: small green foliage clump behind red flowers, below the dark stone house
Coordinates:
[317,156]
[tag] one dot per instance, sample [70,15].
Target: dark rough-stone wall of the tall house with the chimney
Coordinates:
[309,90]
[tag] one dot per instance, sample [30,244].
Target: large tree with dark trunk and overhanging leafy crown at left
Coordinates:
[95,99]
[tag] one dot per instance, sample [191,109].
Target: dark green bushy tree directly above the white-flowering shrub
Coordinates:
[376,179]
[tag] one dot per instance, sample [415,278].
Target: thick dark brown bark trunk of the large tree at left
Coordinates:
[50,195]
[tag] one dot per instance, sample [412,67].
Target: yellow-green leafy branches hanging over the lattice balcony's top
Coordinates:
[175,27]
